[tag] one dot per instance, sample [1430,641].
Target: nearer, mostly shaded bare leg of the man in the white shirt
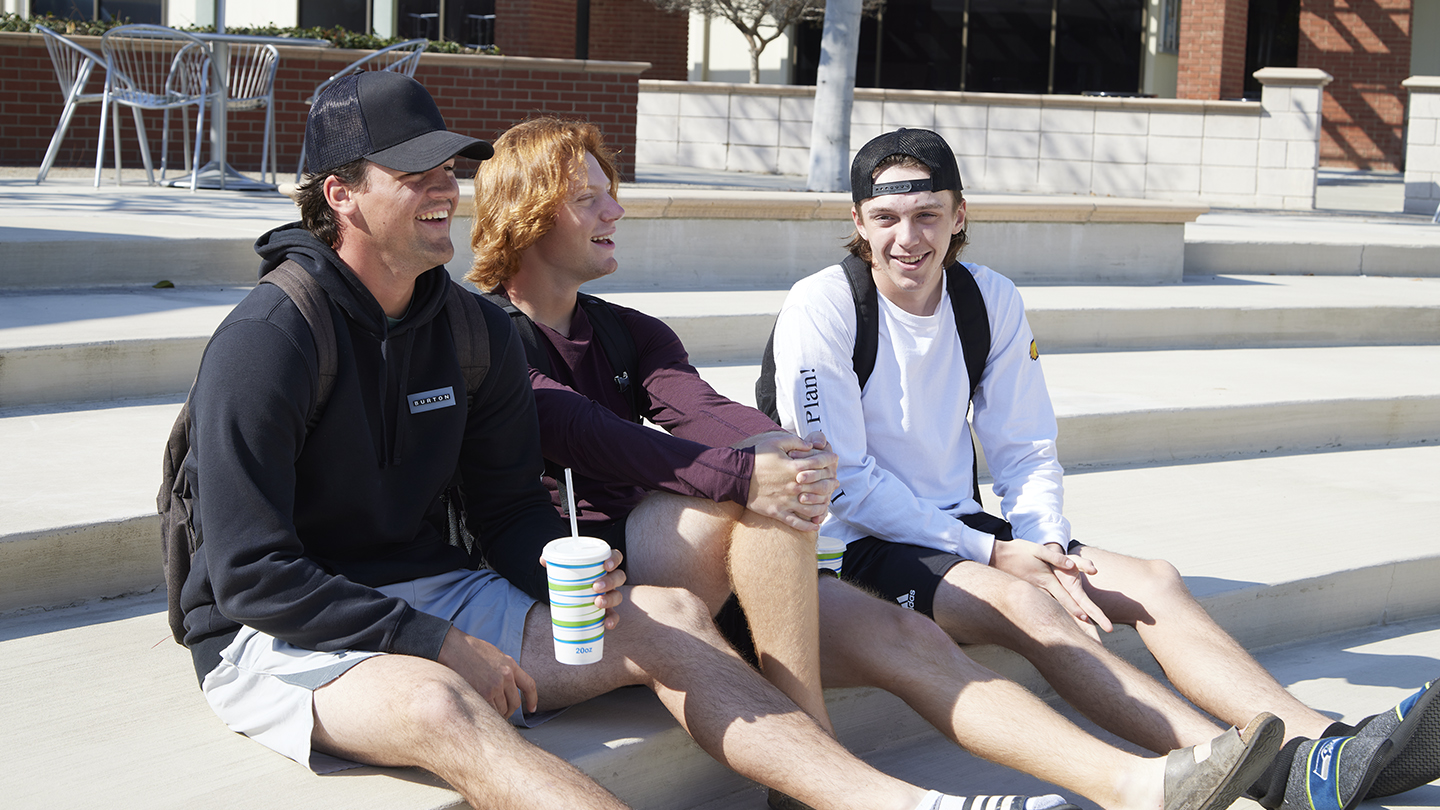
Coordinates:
[978,605]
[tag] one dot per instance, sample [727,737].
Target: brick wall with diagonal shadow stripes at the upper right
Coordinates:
[1366,45]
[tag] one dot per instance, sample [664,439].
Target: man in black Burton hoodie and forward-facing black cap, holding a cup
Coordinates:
[332,612]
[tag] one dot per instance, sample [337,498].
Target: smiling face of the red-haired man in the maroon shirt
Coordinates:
[580,247]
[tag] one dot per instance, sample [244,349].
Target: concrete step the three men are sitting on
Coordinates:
[1268,544]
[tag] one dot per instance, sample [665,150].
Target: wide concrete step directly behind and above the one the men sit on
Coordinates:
[74,476]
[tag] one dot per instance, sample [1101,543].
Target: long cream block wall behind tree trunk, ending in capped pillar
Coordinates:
[1252,155]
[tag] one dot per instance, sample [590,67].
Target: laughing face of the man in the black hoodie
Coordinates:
[400,221]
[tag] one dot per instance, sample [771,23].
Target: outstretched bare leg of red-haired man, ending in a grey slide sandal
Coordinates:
[866,642]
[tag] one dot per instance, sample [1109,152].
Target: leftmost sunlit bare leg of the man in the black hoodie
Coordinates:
[407,711]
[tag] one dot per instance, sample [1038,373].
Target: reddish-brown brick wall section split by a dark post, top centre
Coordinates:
[621,31]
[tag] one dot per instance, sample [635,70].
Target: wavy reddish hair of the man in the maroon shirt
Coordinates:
[523,187]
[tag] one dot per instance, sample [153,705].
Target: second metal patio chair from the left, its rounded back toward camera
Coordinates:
[155,68]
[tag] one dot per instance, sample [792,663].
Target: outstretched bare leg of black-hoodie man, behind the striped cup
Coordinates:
[667,642]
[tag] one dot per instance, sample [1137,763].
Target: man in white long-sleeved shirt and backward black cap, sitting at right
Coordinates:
[908,504]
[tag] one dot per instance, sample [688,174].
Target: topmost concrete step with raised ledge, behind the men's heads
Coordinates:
[679,239]
